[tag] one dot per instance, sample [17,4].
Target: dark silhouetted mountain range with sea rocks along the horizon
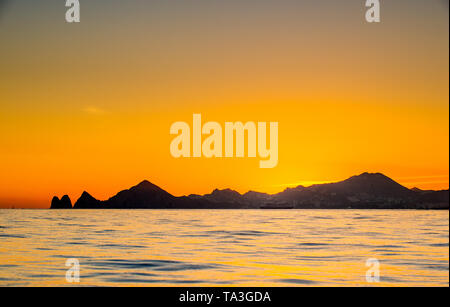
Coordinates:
[365,191]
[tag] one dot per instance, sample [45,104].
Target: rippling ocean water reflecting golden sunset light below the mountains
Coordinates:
[224,247]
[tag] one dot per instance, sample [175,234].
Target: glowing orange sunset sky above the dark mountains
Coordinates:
[89,106]
